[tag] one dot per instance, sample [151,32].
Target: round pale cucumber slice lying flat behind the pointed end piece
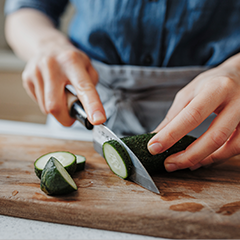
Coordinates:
[67,159]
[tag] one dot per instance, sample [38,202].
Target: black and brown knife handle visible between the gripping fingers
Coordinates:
[76,109]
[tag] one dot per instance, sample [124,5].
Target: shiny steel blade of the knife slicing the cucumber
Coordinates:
[139,174]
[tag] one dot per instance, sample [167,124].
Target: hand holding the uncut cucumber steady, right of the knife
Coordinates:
[216,90]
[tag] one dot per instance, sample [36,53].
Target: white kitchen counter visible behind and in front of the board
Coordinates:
[17,228]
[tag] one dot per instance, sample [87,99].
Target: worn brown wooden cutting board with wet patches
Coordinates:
[201,204]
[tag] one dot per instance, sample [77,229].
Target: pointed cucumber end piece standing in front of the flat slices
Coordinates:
[55,180]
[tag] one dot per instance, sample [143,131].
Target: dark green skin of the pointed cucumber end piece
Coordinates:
[52,182]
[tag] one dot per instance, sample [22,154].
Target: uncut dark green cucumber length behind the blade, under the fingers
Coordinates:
[154,163]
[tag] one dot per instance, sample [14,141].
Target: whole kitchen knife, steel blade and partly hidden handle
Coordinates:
[102,134]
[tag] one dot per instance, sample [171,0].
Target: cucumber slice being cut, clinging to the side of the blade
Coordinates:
[117,158]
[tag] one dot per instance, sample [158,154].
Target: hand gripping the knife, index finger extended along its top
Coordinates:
[46,75]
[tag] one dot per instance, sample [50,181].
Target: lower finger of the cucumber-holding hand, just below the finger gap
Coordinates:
[218,133]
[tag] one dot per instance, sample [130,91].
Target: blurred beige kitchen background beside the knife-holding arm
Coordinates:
[15,104]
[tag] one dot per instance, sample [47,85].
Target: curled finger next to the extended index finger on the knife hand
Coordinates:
[54,91]
